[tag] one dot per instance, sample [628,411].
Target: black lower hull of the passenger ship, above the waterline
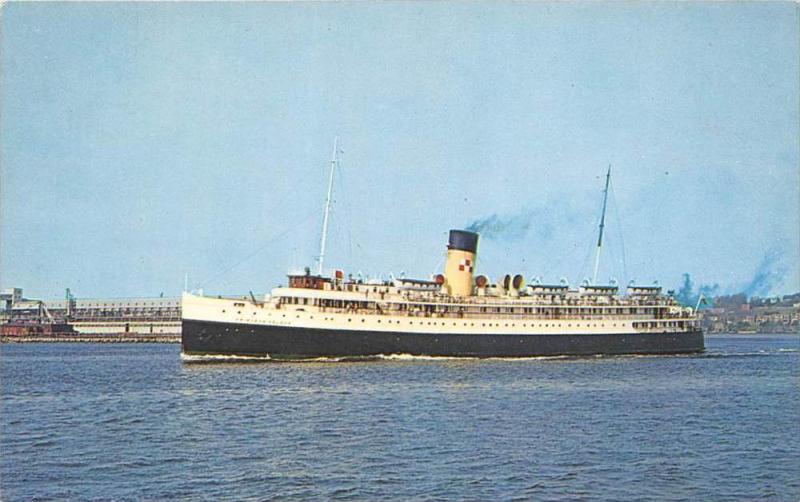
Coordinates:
[212,338]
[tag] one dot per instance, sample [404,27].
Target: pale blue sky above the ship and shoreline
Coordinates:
[141,142]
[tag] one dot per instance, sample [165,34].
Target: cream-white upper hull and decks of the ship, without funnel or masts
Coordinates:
[422,307]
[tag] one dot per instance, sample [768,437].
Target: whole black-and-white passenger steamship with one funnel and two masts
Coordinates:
[456,313]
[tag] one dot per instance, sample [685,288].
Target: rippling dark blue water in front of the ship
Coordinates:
[129,422]
